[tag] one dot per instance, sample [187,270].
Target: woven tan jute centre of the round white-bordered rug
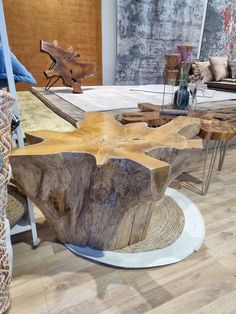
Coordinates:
[166,225]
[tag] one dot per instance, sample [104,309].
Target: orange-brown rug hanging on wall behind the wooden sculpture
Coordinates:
[74,23]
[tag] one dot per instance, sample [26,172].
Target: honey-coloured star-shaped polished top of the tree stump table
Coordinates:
[104,137]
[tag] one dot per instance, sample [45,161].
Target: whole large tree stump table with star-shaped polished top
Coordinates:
[96,185]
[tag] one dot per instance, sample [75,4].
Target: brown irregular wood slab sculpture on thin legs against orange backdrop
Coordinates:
[66,66]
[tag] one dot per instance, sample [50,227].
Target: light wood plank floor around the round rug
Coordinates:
[50,279]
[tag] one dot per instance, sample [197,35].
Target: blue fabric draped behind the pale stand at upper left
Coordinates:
[19,71]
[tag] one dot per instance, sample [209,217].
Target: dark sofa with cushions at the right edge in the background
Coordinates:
[217,72]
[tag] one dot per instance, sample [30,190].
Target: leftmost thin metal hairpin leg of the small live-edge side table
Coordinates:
[206,178]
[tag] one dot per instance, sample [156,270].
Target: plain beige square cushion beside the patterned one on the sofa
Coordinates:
[219,67]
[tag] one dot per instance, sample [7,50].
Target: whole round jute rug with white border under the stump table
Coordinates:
[176,231]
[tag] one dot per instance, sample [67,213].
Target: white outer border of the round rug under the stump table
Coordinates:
[189,241]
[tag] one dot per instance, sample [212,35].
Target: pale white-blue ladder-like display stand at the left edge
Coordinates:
[29,223]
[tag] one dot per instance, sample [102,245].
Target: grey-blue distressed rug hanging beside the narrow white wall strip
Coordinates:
[149,29]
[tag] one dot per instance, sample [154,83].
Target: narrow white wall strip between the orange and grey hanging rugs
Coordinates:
[108,41]
